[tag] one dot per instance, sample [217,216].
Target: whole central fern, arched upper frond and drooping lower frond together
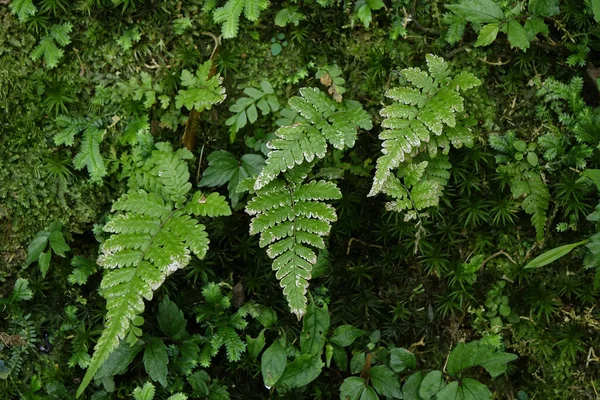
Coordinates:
[289,214]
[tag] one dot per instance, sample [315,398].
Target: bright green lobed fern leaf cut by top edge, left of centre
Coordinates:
[229,14]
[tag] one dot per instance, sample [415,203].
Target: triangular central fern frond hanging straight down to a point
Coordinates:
[292,220]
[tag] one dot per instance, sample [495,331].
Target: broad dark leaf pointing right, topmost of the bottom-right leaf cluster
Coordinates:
[475,353]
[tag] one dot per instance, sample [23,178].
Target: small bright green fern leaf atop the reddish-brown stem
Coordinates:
[202,92]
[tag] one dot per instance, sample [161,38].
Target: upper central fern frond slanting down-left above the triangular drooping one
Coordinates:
[323,121]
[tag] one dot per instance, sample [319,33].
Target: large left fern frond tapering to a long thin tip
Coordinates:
[154,232]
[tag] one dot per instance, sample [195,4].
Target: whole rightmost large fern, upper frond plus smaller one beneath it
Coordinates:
[422,121]
